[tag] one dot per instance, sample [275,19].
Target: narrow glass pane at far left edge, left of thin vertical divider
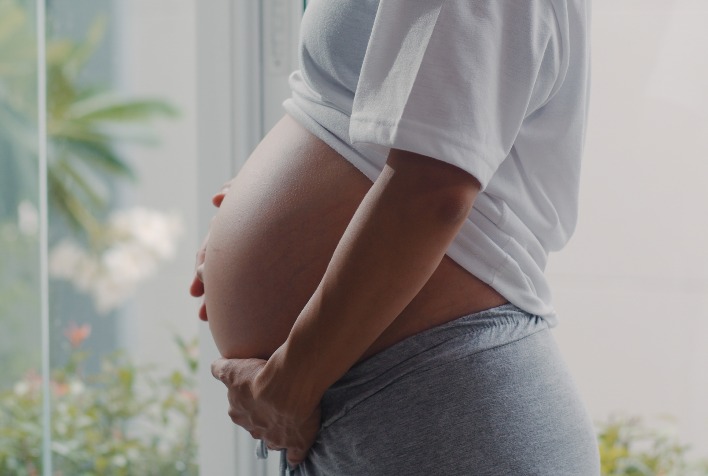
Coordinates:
[20,281]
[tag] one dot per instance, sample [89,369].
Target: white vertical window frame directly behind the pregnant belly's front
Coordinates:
[239,96]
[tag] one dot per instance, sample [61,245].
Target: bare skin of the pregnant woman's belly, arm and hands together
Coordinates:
[312,268]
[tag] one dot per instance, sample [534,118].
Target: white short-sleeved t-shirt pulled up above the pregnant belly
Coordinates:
[498,88]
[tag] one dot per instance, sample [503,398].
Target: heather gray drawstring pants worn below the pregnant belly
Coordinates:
[484,395]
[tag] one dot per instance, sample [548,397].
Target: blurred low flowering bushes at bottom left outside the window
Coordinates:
[121,421]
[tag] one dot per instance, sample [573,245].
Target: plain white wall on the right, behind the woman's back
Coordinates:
[632,286]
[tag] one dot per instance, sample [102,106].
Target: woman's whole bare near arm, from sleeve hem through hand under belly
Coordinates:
[394,243]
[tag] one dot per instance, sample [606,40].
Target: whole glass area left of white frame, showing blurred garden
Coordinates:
[120,104]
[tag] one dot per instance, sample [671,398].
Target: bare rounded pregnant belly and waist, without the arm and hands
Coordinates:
[274,235]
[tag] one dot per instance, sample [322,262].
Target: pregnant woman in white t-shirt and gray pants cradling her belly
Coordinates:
[374,275]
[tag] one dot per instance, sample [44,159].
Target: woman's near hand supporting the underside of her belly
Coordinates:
[264,405]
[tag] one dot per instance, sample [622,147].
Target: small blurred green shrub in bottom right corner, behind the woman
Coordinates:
[629,448]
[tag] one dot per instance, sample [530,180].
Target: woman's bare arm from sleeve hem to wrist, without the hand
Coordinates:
[392,246]
